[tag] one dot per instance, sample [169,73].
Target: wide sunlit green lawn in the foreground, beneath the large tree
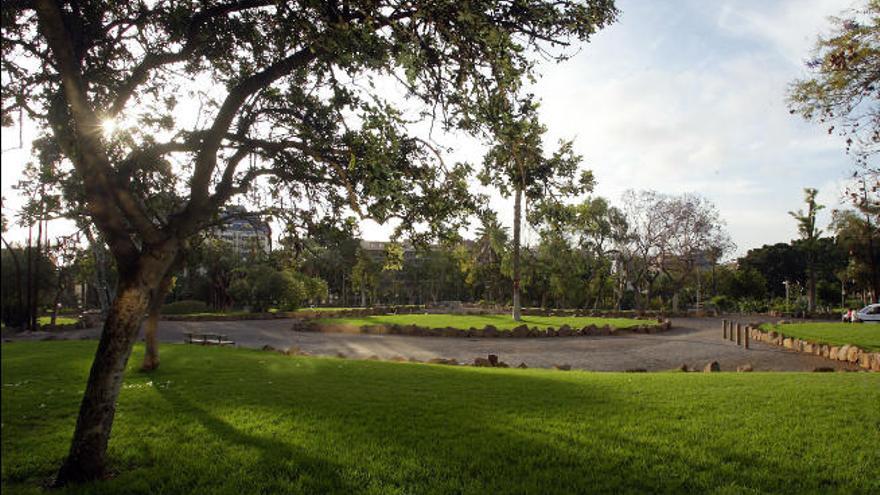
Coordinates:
[214,420]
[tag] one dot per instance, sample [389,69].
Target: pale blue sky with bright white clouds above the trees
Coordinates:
[677,96]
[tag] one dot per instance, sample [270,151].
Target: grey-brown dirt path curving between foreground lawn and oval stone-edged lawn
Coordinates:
[692,341]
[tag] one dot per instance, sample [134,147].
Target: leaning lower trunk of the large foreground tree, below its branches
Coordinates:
[87,457]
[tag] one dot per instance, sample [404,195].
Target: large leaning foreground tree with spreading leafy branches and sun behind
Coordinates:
[286,94]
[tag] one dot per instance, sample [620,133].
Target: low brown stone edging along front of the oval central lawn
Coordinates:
[489,331]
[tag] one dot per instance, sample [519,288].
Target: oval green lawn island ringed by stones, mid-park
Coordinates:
[502,322]
